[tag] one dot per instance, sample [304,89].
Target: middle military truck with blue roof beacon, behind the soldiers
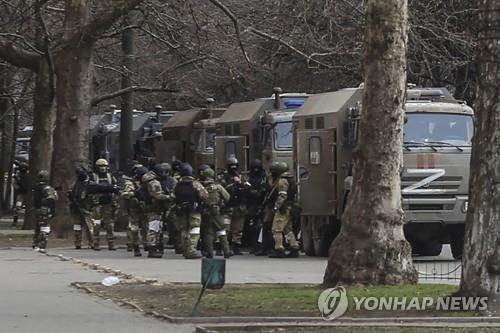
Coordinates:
[259,129]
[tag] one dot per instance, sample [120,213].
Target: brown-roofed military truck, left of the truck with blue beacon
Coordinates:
[189,136]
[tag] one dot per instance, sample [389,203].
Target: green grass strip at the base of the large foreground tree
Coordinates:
[263,300]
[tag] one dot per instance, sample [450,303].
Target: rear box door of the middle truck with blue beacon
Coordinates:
[231,146]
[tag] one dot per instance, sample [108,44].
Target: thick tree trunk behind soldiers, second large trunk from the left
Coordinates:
[73,95]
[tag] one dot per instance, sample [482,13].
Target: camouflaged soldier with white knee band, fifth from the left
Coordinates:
[155,198]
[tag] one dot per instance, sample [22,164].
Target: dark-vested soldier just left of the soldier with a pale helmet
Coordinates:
[80,206]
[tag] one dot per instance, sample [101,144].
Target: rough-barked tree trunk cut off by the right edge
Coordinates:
[481,259]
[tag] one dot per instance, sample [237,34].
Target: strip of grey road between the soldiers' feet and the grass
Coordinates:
[244,269]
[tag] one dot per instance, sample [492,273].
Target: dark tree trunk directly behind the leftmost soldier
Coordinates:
[44,115]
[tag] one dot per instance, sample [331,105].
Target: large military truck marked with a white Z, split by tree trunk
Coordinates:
[437,146]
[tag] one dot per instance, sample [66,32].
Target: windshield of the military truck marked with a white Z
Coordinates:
[436,128]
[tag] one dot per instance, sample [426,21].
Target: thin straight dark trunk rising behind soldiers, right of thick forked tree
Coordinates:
[126,119]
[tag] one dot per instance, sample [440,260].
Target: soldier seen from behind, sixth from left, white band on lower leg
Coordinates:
[189,195]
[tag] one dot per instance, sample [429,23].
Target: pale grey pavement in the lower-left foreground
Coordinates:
[36,297]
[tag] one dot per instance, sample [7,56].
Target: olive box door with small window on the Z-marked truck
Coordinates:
[316,171]
